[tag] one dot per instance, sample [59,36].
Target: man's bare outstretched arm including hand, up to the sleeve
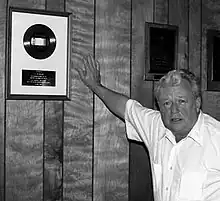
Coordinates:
[90,75]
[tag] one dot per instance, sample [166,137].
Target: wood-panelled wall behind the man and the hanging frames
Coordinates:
[77,150]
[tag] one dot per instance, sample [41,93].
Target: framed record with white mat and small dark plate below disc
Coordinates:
[38,54]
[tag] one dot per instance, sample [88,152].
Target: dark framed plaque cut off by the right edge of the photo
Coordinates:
[213,60]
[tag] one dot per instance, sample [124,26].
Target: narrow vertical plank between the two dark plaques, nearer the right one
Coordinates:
[195,36]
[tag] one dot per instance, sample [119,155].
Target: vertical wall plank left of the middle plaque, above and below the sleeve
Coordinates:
[140,171]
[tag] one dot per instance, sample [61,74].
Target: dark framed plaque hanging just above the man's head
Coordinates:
[161,45]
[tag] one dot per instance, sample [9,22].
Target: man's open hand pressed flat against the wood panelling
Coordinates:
[90,72]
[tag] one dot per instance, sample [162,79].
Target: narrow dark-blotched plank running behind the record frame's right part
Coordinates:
[53,139]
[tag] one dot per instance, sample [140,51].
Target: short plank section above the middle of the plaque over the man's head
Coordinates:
[161,12]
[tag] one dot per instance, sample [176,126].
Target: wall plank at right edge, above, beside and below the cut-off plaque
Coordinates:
[210,20]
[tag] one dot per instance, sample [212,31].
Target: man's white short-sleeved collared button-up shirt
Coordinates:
[185,171]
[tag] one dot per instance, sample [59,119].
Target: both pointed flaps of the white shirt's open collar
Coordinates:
[195,133]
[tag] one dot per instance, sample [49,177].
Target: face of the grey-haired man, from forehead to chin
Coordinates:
[179,108]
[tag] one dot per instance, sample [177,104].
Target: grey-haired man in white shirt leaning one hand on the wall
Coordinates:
[183,142]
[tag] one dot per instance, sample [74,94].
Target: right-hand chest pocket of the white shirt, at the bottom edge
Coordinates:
[191,186]
